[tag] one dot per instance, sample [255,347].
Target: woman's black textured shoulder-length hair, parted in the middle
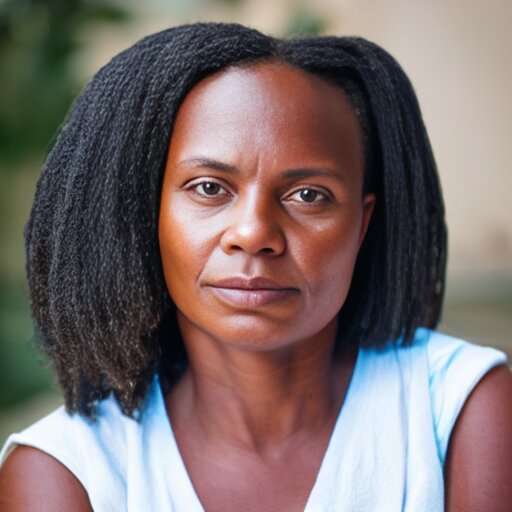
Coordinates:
[97,291]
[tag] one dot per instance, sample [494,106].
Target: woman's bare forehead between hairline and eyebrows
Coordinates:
[271,110]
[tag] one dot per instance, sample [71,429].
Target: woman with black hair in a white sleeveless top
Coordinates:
[264,280]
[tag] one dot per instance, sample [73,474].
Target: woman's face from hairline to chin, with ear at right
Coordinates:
[262,212]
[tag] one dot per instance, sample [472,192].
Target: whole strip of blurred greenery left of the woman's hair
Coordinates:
[38,41]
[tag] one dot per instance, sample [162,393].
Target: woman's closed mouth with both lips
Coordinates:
[250,292]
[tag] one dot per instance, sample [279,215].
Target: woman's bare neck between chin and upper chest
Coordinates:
[260,399]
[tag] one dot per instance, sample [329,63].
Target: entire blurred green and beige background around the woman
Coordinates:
[456,53]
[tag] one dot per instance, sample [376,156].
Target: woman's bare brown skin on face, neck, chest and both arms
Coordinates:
[262,204]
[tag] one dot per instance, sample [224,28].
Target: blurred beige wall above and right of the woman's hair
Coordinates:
[457,54]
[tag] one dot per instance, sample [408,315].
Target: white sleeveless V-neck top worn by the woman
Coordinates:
[386,452]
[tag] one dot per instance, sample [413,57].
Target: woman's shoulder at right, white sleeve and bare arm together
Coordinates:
[471,395]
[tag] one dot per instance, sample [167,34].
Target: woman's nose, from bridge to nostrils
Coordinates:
[254,228]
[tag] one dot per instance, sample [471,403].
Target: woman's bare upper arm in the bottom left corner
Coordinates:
[32,480]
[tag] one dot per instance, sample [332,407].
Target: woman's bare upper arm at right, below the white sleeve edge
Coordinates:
[478,470]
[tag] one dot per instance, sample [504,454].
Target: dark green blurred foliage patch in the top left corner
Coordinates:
[38,39]
